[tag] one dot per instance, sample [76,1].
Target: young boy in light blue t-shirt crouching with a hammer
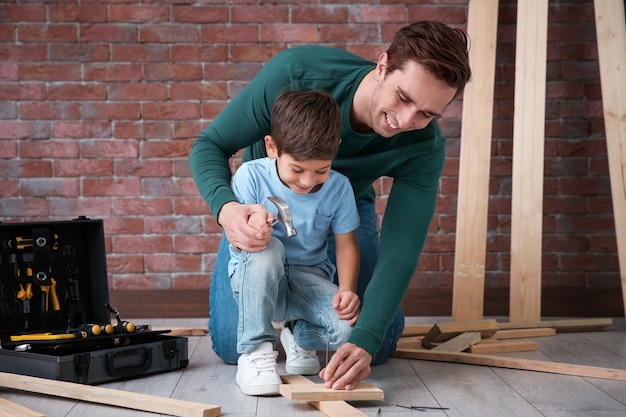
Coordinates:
[290,280]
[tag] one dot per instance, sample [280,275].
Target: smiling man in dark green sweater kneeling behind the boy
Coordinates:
[389,111]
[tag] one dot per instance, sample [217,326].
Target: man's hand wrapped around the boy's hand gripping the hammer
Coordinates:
[234,219]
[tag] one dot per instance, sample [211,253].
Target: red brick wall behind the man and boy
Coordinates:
[101,102]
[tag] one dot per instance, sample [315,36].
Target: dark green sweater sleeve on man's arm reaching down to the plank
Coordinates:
[410,208]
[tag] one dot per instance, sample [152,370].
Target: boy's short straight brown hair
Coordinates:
[306,124]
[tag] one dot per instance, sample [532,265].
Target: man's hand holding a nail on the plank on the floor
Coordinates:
[347,368]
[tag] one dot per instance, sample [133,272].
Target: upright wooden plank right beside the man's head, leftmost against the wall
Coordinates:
[474,164]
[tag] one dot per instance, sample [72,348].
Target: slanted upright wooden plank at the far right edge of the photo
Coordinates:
[611,34]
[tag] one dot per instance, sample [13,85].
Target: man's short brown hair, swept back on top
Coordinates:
[438,48]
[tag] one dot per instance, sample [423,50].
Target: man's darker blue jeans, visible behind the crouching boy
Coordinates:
[224,312]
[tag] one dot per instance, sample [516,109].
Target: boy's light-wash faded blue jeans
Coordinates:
[266,289]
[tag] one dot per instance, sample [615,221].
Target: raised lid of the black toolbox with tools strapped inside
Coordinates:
[53,276]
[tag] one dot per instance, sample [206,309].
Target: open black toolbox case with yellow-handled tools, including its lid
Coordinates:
[55,317]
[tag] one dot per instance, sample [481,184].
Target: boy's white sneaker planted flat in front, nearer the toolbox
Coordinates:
[257,373]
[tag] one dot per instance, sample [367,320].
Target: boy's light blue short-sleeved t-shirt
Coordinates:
[331,209]
